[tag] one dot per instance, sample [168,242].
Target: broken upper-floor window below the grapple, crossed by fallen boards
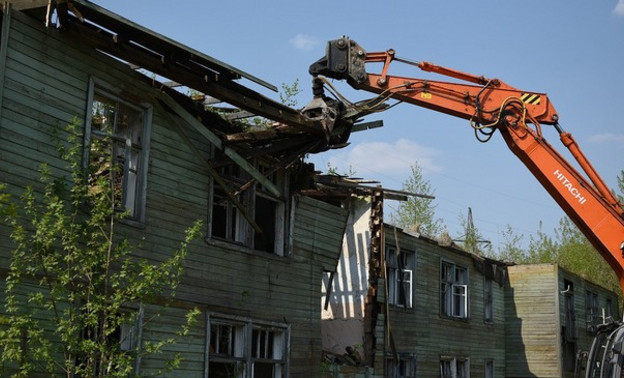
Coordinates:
[233,226]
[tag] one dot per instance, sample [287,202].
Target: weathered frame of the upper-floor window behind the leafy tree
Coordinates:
[134,192]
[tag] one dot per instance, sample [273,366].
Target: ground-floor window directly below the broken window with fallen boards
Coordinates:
[247,349]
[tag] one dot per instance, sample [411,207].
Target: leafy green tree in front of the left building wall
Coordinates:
[73,280]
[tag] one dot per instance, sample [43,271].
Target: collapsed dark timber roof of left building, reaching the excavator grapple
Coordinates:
[285,135]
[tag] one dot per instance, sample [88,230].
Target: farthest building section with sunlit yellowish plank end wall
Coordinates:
[551,315]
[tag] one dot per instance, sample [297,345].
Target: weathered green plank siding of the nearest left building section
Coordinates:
[45,84]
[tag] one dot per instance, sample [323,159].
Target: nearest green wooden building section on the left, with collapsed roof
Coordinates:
[257,273]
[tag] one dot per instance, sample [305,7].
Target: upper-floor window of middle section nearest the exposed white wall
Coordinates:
[400,270]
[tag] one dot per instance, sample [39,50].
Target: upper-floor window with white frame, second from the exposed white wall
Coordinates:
[453,290]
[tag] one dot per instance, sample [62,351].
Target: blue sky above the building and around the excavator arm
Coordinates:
[573,50]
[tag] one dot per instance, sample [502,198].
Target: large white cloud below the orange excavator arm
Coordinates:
[372,159]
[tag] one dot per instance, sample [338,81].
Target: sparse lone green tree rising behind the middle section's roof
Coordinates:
[418,211]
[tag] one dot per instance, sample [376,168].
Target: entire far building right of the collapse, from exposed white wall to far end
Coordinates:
[417,308]
